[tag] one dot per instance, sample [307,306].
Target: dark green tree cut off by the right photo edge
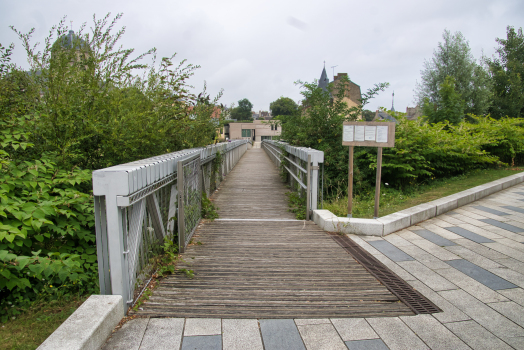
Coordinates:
[507,72]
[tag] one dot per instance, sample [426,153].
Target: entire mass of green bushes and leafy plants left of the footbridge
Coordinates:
[84,104]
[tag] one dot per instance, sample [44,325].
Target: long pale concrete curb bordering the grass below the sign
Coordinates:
[397,221]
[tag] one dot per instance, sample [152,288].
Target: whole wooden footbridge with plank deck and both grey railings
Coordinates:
[255,261]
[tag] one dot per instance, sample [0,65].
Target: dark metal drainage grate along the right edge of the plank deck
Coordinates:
[406,293]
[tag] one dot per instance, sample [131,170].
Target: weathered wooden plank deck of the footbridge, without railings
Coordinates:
[270,266]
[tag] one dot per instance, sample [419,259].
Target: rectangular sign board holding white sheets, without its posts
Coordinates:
[370,134]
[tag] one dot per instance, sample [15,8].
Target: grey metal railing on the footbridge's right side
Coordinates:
[302,164]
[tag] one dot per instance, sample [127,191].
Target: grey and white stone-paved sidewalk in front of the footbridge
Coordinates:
[469,262]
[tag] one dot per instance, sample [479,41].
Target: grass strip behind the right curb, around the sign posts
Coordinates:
[392,200]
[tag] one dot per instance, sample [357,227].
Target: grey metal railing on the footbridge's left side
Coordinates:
[140,204]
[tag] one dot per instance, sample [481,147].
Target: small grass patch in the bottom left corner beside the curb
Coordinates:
[32,327]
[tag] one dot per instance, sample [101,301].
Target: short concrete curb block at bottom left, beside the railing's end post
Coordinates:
[89,326]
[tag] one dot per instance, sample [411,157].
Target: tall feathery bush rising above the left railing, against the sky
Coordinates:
[99,106]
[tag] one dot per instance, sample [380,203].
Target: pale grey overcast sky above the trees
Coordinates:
[257,49]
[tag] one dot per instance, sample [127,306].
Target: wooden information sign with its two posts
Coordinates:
[367,134]
